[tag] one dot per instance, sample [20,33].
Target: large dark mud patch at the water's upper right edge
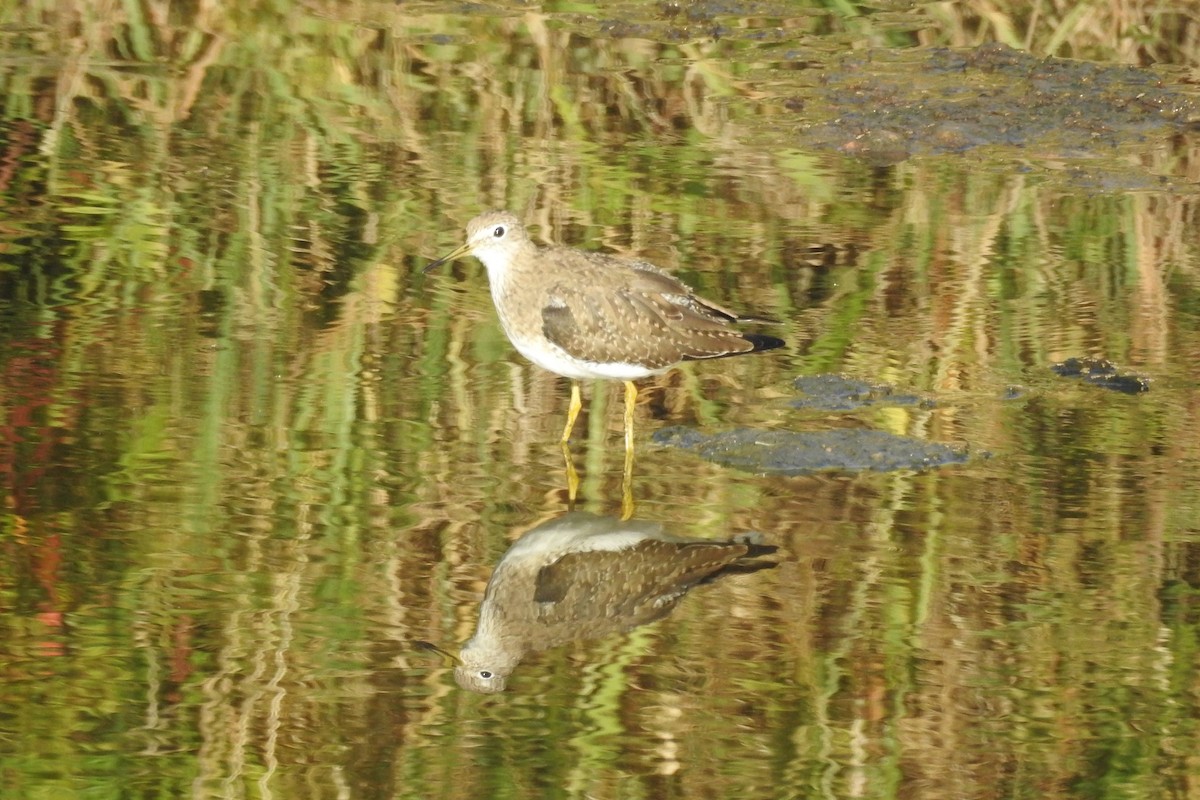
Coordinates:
[887,106]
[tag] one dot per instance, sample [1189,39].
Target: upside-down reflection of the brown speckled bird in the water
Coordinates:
[583,578]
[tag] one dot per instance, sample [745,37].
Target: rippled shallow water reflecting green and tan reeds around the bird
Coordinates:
[251,455]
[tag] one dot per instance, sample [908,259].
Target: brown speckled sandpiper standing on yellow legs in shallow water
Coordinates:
[584,315]
